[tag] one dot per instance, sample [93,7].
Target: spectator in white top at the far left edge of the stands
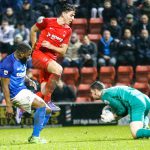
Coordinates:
[6,37]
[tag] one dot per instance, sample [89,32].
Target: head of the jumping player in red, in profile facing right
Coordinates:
[67,12]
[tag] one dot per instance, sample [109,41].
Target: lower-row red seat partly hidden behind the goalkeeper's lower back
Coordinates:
[143,87]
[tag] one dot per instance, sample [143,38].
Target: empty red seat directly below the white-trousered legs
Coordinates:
[95,25]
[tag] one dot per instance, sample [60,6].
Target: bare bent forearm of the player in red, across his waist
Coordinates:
[61,50]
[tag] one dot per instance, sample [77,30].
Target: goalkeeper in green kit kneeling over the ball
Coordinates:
[125,100]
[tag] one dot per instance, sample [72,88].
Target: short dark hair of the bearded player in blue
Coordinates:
[23,47]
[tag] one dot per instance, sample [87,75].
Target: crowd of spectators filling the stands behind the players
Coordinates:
[125,31]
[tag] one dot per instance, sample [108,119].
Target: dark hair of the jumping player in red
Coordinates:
[66,7]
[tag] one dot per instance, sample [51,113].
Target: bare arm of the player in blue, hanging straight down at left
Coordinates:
[5,87]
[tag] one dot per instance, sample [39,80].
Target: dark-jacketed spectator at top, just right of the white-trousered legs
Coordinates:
[110,12]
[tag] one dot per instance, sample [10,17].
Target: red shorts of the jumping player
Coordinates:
[40,61]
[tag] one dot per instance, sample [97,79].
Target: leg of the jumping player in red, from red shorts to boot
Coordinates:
[44,62]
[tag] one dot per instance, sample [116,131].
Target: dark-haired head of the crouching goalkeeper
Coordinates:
[96,89]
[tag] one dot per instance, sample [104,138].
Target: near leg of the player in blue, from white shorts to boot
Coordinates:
[25,99]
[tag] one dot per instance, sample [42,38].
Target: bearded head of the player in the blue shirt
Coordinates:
[23,51]
